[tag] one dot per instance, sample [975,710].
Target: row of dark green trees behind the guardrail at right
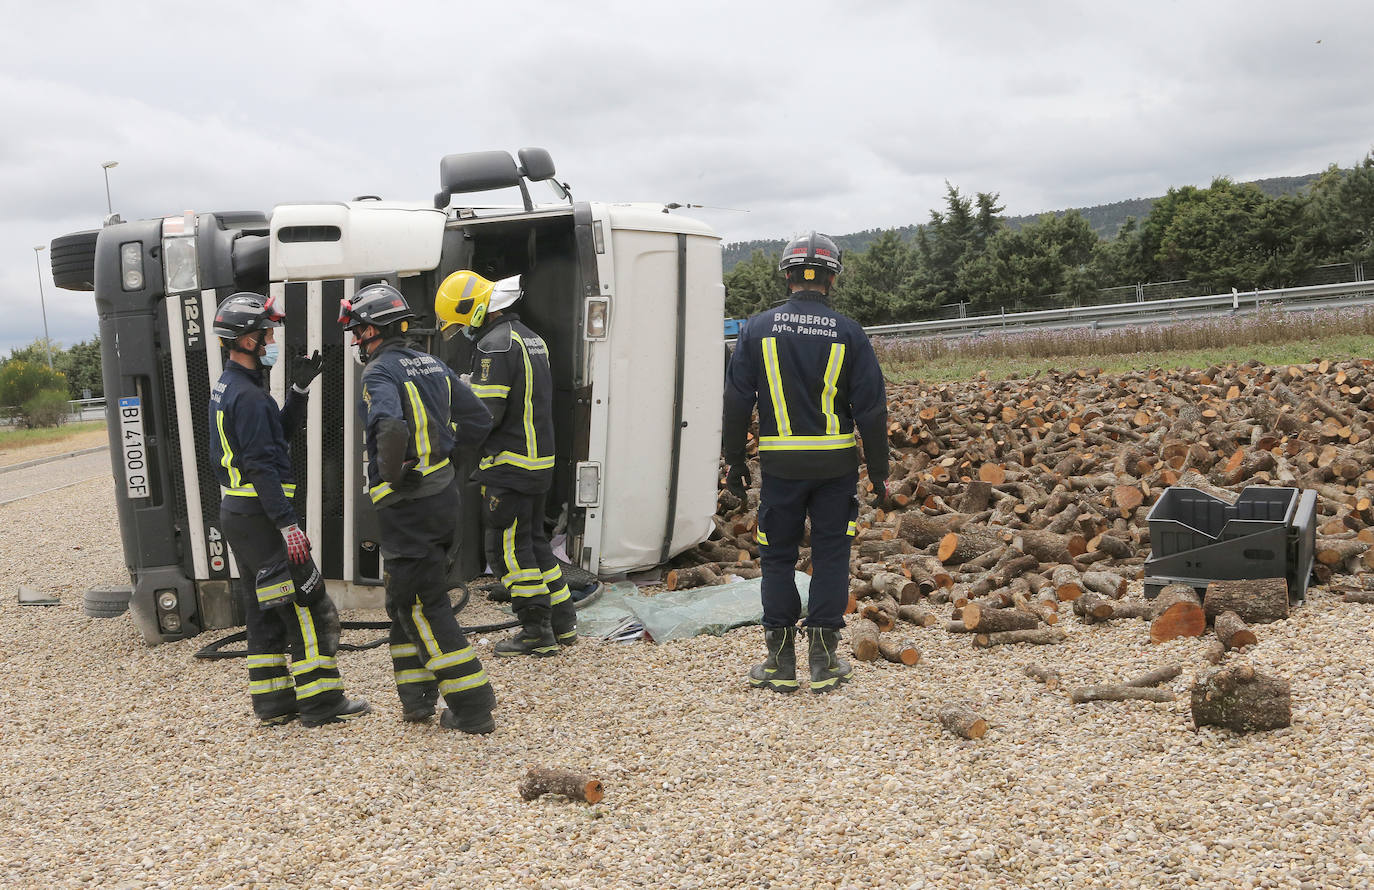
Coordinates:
[1222,237]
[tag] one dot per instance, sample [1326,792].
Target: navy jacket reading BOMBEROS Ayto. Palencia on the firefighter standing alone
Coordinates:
[815,378]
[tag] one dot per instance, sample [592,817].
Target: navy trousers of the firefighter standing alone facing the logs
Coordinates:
[785,505]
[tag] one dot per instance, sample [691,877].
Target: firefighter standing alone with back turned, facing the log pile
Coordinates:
[815,380]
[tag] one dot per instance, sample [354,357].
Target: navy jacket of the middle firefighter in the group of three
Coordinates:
[439,410]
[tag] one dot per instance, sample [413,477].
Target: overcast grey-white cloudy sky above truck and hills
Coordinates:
[829,116]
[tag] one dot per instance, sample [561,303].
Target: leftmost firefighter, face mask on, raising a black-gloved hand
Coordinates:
[292,624]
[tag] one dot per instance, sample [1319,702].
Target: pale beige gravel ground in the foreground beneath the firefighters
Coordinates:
[134,767]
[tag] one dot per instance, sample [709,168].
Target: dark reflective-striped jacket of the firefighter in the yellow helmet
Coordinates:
[512,377]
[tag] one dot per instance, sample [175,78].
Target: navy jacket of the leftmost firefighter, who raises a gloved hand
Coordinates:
[249,444]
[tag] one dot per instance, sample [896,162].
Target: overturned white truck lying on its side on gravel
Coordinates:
[629,297]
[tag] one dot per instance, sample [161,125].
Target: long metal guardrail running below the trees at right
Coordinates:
[1149,312]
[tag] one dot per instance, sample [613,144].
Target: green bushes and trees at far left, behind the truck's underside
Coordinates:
[36,395]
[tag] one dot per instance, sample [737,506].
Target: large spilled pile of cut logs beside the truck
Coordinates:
[1011,499]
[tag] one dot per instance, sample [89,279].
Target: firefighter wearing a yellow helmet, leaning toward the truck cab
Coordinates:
[512,377]
